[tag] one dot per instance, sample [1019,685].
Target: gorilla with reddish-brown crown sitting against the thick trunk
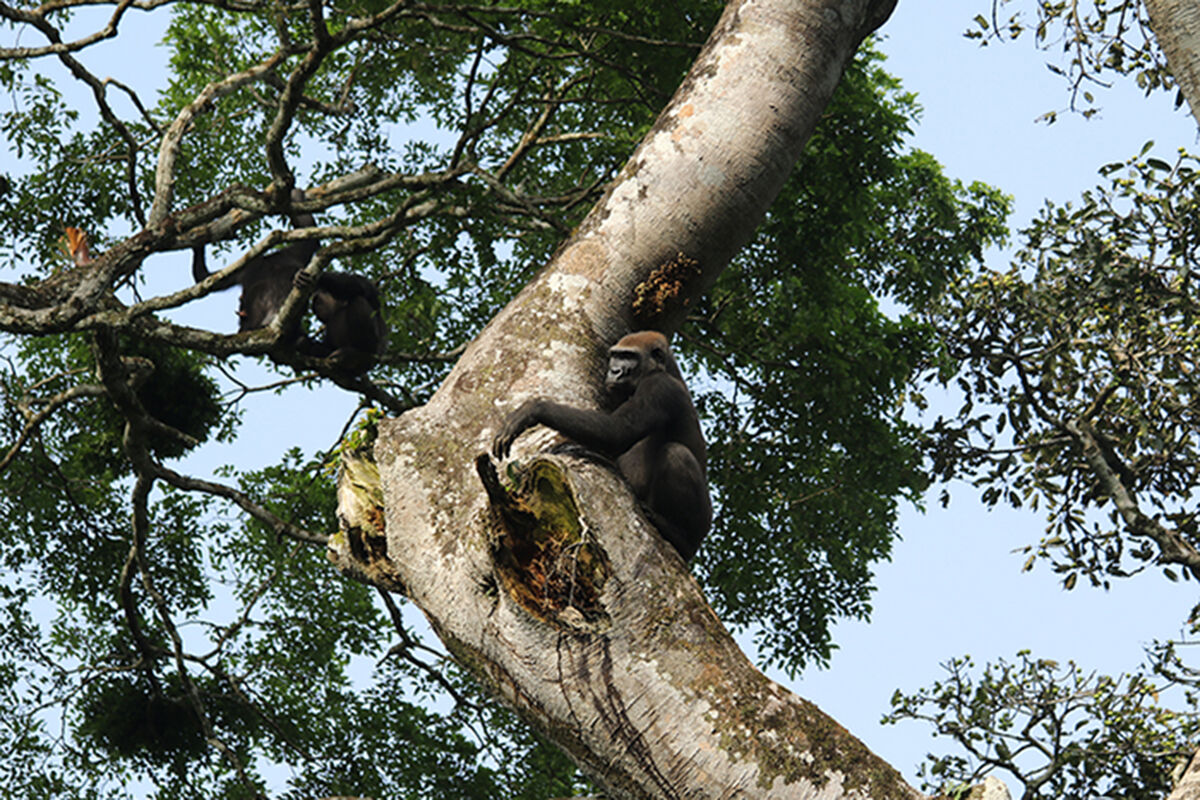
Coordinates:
[655,436]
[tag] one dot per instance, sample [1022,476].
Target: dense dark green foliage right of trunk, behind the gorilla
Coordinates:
[808,449]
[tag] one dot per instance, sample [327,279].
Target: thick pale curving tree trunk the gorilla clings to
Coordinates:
[572,607]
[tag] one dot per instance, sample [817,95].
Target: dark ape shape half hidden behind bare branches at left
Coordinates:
[349,305]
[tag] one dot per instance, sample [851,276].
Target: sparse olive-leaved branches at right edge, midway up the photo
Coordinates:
[1079,371]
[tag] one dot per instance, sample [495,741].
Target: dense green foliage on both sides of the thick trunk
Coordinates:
[448,151]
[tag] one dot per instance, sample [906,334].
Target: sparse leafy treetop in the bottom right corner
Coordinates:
[1060,731]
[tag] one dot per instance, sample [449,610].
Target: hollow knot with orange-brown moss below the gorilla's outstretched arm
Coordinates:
[545,558]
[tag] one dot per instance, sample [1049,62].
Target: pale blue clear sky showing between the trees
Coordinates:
[955,586]
